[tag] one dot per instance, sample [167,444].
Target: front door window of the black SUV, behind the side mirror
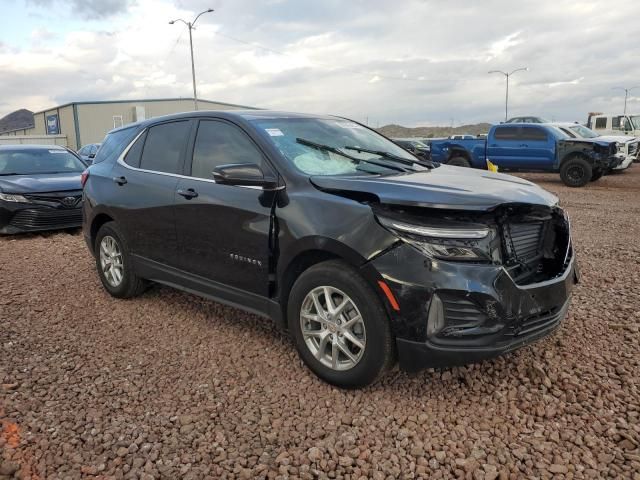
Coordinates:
[218,143]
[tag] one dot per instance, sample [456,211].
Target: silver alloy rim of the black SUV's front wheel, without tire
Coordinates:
[332,328]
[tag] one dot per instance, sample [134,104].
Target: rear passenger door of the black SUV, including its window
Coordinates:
[146,179]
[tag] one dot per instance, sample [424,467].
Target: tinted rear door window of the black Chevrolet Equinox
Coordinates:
[163,147]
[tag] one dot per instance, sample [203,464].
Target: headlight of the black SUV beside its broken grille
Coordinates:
[477,244]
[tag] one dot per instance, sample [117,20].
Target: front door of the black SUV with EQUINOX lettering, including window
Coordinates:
[223,230]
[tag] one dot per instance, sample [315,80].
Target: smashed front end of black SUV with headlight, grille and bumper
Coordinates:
[472,285]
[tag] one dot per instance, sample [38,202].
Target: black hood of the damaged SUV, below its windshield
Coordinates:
[443,187]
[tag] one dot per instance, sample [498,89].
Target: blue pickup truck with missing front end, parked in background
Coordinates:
[529,147]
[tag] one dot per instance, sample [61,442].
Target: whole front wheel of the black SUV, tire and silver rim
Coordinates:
[343,284]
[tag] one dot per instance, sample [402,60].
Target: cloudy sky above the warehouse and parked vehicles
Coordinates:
[412,62]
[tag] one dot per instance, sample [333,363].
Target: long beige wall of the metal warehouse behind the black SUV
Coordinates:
[96,119]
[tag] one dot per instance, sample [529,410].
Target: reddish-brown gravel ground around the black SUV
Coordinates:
[172,386]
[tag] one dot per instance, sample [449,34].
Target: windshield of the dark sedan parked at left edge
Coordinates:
[38,161]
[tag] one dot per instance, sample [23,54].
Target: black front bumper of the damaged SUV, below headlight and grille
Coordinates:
[486,313]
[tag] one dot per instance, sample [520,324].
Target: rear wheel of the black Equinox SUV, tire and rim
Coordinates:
[111,250]
